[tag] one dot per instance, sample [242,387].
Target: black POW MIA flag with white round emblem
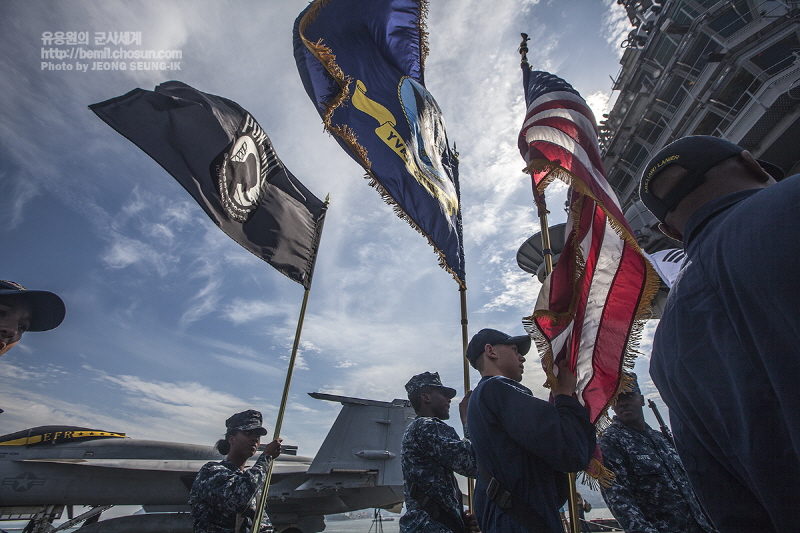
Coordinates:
[221,156]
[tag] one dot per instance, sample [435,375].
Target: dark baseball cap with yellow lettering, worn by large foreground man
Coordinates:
[698,154]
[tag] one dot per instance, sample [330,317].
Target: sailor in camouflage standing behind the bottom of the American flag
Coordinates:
[651,492]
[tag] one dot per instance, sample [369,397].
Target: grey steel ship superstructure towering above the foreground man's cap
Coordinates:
[702,67]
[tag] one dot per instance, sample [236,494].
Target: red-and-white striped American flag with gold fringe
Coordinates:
[592,308]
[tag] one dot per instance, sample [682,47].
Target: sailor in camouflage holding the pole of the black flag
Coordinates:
[224,495]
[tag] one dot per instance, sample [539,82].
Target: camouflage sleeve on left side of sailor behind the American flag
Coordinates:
[619,496]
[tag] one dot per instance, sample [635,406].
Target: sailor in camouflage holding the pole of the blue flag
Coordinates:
[431,452]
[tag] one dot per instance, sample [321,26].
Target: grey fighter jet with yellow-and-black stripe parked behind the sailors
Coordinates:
[48,469]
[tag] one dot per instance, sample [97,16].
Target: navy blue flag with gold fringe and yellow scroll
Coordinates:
[362,64]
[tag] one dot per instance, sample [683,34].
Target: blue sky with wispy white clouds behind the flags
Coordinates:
[171,326]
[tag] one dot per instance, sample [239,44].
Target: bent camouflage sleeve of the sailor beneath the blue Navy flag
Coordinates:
[443,445]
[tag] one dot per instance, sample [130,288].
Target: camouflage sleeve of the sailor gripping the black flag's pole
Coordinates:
[232,491]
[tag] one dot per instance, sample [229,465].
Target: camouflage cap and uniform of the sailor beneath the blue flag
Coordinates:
[431,451]
